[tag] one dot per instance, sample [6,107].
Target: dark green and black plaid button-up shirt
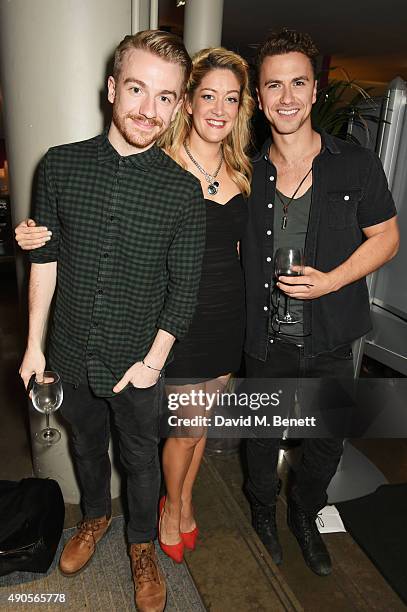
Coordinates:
[128,236]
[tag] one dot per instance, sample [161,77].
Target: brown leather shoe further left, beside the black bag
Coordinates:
[79,549]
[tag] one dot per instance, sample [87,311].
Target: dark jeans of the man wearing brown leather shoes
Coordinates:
[136,414]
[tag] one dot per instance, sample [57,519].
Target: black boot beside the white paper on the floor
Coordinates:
[308,537]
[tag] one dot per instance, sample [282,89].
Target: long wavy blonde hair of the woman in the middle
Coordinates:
[237,142]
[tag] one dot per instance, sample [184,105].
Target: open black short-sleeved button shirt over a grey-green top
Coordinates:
[349,193]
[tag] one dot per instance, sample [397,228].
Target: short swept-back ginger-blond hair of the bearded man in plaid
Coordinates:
[163,44]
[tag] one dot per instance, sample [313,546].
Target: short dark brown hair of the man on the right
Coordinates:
[287,41]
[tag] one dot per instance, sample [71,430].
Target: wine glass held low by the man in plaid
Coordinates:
[47,397]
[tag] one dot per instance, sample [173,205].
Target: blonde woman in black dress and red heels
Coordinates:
[209,138]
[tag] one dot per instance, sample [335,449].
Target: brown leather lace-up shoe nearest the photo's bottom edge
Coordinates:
[149,585]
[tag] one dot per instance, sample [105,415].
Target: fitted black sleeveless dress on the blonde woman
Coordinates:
[214,342]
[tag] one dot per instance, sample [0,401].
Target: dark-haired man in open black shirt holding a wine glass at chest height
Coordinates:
[331,198]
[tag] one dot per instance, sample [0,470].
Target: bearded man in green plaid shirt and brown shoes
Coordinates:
[124,259]
